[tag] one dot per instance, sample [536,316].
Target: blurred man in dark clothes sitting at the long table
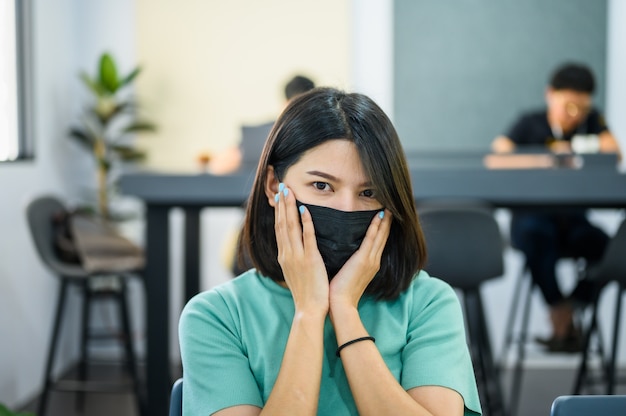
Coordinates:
[544,236]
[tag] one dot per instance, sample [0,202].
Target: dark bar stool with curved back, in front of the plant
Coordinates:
[92,286]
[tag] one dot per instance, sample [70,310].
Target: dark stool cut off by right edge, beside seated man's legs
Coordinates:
[611,269]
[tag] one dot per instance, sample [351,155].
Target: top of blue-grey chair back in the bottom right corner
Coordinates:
[589,405]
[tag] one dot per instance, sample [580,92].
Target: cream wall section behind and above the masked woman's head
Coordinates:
[212,66]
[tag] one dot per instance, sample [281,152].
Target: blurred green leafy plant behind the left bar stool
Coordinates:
[108,124]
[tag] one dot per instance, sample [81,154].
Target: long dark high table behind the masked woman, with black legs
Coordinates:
[597,188]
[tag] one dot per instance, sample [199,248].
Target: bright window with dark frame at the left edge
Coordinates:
[15,137]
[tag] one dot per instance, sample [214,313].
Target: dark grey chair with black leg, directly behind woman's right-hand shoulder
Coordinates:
[465,249]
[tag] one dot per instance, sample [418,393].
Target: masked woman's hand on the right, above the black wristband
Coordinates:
[347,287]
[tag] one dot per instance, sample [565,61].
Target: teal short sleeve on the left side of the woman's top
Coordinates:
[215,368]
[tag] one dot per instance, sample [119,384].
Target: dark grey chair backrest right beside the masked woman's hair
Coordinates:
[464,242]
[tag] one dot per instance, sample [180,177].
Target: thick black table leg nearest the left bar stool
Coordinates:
[157,283]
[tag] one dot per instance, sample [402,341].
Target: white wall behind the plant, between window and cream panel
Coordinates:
[66,36]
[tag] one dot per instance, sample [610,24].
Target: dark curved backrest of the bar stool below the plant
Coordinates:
[39,214]
